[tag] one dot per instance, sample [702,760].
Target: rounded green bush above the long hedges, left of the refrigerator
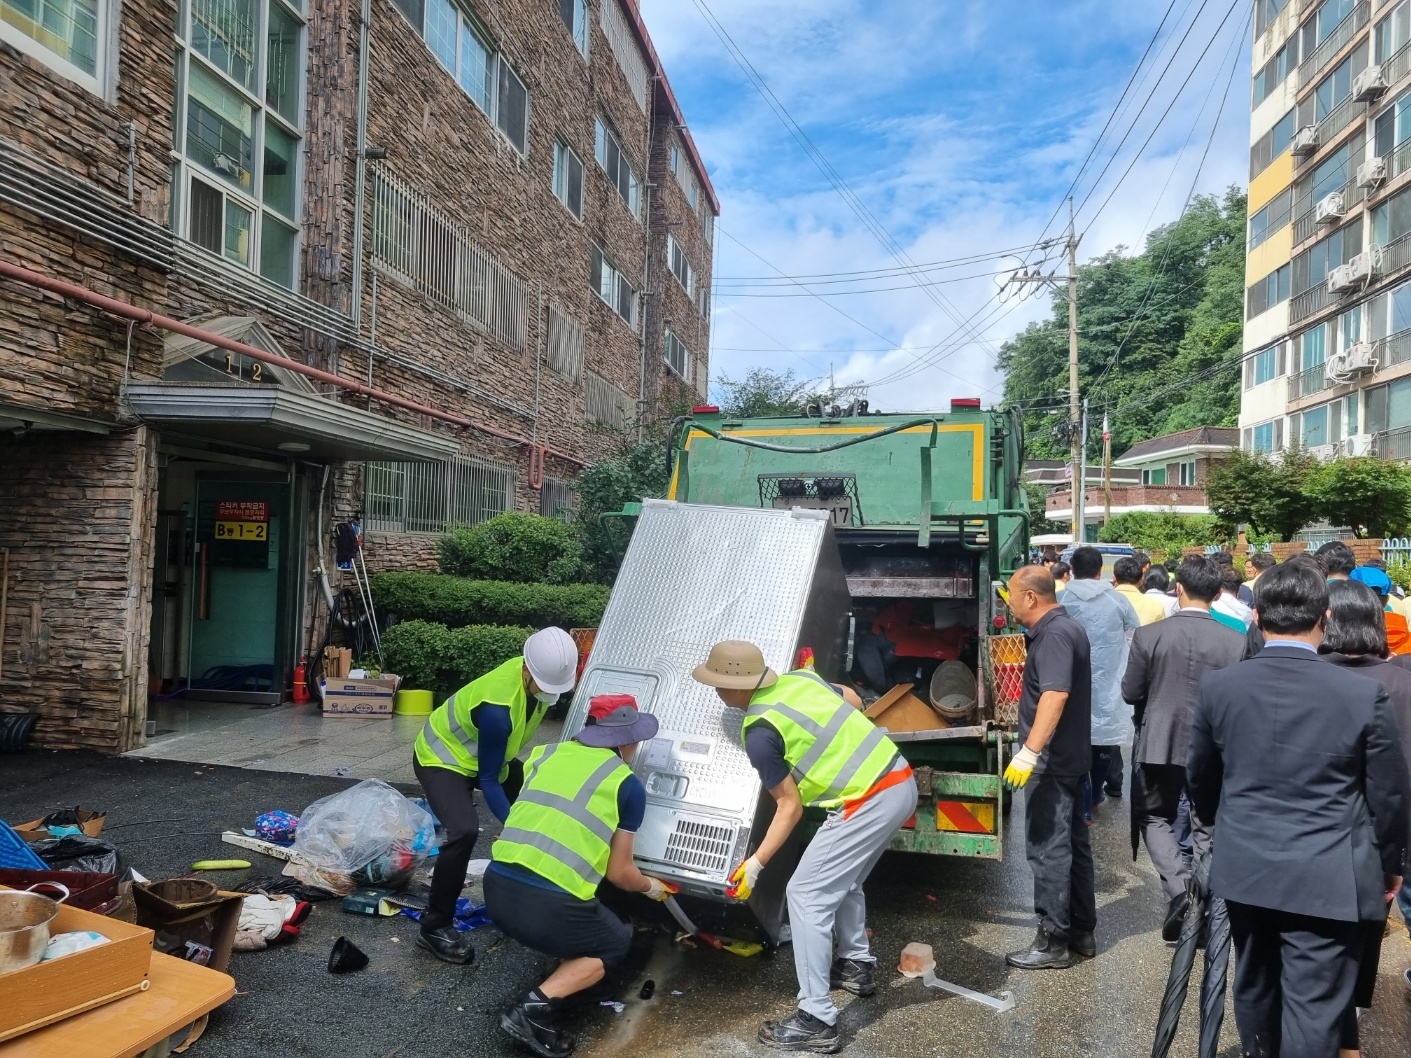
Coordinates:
[527,549]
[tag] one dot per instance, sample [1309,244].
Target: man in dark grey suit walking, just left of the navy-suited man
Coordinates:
[1162,682]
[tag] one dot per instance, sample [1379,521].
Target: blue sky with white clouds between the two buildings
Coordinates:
[960,128]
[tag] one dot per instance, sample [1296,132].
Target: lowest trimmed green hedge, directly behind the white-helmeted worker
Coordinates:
[434,658]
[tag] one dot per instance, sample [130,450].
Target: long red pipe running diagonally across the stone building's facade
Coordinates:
[152,320]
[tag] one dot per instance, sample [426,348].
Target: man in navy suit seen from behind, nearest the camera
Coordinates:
[1299,767]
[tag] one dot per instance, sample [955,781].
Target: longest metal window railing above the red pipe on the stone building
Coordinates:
[432,252]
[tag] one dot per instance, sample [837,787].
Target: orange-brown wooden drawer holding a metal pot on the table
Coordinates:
[50,992]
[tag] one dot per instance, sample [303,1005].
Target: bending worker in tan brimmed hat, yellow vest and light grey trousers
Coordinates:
[813,747]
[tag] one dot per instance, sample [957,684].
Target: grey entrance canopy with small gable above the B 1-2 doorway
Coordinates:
[211,393]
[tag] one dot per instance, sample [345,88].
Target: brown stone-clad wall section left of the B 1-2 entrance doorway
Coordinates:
[77,521]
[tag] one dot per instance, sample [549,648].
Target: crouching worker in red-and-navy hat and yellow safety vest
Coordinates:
[572,826]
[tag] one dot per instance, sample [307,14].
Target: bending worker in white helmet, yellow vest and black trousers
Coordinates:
[471,743]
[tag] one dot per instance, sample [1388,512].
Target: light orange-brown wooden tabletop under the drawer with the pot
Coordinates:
[180,994]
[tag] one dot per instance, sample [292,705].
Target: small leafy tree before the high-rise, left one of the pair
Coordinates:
[1272,496]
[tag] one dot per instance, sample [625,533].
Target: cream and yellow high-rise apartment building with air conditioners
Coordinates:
[1328,274]
